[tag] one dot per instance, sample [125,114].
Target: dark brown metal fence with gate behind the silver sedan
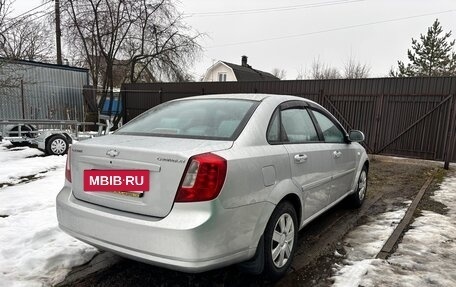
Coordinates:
[409,117]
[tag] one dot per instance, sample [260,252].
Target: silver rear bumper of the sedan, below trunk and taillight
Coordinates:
[194,237]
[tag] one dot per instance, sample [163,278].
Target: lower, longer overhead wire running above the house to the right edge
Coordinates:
[332,29]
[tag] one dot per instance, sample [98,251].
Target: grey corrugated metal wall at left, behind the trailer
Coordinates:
[42,91]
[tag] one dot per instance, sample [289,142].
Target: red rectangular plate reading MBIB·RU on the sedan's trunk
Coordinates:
[116,180]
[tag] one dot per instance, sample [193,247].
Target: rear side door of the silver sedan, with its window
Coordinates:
[310,164]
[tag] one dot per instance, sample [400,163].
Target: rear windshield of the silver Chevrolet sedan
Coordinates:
[221,119]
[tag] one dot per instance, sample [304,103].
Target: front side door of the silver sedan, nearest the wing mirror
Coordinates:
[341,154]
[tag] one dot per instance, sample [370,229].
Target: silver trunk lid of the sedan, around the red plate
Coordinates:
[165,159]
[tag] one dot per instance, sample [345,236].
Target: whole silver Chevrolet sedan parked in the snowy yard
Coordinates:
[204,182]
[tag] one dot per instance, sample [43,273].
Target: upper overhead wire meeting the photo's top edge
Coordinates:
[271,9]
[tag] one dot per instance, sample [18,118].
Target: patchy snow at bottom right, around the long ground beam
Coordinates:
[426,255]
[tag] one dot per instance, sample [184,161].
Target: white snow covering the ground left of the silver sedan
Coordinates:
[33,250]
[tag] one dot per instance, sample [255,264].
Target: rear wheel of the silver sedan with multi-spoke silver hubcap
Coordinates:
[280,240]
